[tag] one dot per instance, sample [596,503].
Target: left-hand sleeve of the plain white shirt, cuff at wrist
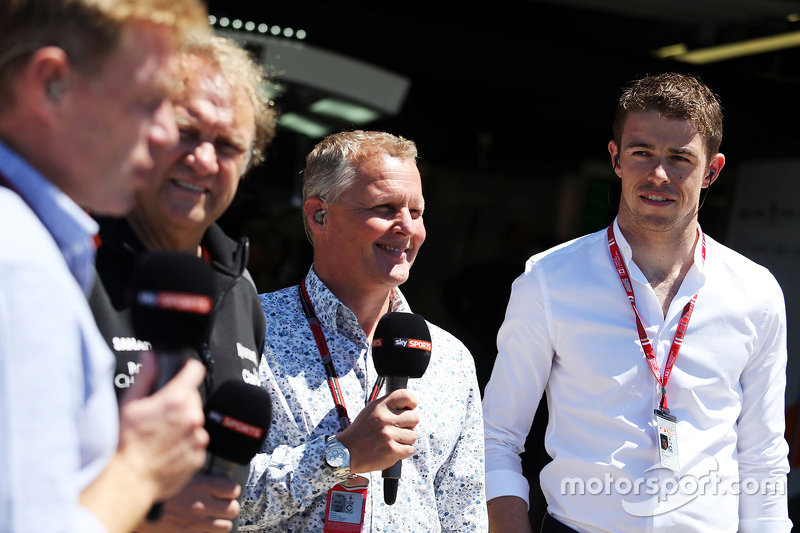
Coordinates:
[519,377]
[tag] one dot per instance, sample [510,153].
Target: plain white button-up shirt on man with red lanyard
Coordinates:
[570,330]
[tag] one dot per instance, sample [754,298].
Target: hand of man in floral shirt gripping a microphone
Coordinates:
[383,433]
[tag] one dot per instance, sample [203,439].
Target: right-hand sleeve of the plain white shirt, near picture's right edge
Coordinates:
[761,446]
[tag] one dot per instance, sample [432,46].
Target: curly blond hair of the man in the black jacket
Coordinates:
[244,75]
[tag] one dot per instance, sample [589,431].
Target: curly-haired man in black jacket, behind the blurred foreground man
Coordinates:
[224,124]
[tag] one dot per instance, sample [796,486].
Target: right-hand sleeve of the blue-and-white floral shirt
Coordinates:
[459,483]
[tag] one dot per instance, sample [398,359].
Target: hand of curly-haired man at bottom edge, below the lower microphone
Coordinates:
[205,505]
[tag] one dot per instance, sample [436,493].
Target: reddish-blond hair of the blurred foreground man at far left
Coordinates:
[87,30]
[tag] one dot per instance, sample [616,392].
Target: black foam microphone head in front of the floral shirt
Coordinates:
[401,345]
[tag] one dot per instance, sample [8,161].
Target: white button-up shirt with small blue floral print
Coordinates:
[442,485]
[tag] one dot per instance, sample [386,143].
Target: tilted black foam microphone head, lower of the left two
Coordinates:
[237,420]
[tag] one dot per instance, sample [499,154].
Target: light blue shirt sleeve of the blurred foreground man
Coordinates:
[42,387]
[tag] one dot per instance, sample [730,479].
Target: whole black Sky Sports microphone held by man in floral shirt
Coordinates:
[401,349]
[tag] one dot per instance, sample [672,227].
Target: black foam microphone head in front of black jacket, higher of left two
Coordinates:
[171,298]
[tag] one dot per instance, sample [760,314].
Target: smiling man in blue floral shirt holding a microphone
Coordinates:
[363,209]
